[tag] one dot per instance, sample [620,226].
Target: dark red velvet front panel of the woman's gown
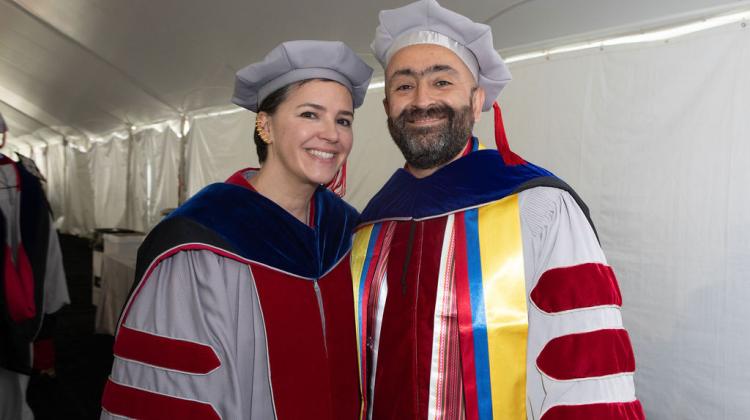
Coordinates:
[313,374]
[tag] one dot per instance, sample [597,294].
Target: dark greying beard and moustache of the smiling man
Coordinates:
[433,146]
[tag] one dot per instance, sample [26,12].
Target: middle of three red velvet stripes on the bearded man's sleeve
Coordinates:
[587,355]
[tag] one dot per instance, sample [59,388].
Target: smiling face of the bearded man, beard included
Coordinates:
[432,103]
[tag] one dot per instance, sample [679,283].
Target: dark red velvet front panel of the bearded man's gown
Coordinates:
[403,368]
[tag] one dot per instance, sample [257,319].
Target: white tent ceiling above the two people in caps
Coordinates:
[95,66]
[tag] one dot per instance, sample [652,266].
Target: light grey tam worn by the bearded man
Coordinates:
[426,22]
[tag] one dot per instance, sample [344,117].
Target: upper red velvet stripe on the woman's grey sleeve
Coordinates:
[164,352]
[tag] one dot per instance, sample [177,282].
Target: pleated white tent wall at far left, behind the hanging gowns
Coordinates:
[118,181]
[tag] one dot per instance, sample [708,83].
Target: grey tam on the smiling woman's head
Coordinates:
[294,61]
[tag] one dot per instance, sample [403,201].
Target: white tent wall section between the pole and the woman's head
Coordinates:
[219,146]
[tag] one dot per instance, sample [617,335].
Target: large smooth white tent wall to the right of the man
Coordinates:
[655,138]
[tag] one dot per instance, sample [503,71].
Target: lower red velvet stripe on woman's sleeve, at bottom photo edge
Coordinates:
[137,403]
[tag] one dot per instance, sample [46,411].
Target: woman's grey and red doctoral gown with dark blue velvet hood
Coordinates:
[240,311]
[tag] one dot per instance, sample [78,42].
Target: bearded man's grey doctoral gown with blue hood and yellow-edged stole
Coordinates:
[482,293]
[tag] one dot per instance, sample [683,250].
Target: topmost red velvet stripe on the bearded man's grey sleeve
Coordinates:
[575,287]
